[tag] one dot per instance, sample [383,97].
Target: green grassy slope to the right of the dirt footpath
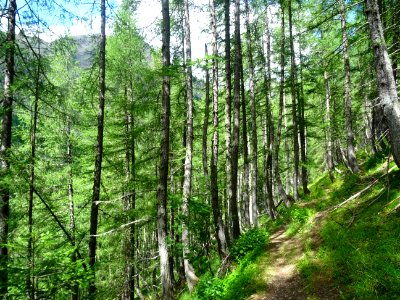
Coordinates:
[358,245]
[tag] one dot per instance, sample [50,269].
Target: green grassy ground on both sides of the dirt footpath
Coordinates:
[351,249]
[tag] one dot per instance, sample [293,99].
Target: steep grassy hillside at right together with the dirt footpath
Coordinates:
[341,242]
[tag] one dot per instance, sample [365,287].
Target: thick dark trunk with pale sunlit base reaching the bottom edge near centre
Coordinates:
[162,189]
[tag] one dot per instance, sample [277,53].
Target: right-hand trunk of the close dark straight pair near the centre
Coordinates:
[235,137]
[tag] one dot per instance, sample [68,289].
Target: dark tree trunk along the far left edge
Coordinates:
[5,145]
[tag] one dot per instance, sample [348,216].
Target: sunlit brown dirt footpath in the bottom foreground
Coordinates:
[283,280]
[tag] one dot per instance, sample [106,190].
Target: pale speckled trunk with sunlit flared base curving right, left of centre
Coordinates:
[191,278]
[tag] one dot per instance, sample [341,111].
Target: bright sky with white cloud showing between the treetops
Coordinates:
[81,17]
